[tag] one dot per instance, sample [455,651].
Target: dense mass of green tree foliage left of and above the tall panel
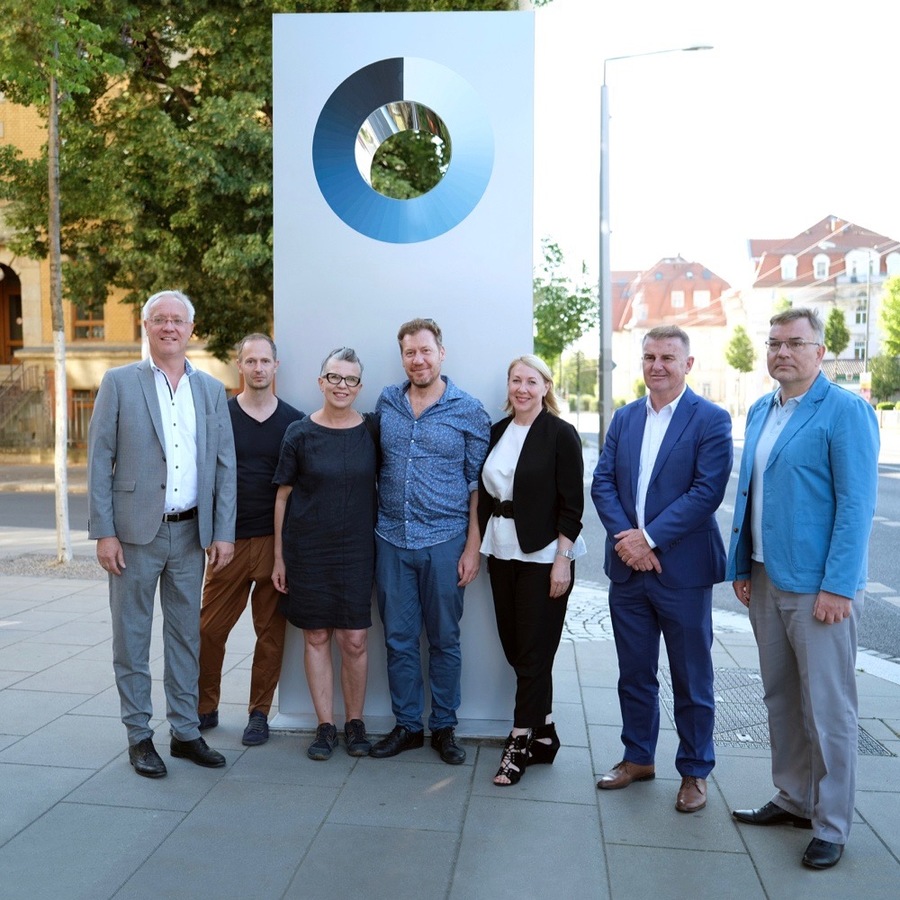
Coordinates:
[166,162]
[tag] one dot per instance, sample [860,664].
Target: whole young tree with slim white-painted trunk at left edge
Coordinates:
[50,54]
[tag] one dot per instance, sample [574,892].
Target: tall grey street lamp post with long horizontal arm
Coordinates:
[604,295]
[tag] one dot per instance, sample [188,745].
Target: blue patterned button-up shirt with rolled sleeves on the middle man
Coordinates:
[430,465]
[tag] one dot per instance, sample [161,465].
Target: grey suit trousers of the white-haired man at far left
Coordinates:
[174,560]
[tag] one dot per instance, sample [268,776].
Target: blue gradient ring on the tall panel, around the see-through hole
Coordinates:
[337,139]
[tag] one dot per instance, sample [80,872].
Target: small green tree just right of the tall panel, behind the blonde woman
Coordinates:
[563,311]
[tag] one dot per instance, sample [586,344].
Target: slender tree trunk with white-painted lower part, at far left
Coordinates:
[60,460]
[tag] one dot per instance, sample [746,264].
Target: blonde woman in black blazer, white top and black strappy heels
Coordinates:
[530,501]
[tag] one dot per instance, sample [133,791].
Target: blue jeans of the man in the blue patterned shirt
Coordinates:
[416,588]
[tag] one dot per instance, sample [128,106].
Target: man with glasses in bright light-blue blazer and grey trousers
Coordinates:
[798,559]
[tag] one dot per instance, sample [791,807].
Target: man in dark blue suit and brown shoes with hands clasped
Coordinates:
[660,479]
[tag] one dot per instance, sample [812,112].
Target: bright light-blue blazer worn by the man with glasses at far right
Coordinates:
[819,493]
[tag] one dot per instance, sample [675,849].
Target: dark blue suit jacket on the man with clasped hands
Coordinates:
[686,487]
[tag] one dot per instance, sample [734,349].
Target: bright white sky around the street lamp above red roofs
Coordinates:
[791,117]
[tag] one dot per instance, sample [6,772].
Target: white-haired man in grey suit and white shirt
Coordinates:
[161,483]
